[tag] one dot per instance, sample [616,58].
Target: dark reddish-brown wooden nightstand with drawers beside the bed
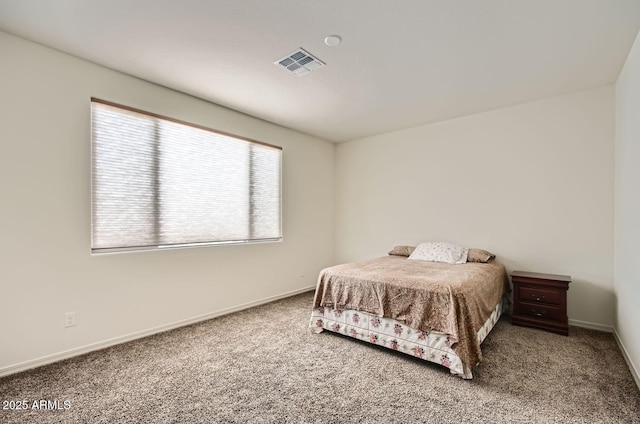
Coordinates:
[540,301]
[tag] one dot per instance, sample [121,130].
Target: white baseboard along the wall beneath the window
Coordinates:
[49,359]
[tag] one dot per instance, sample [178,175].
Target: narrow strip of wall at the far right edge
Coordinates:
[627,201]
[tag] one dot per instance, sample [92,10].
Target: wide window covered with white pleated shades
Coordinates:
[161,183]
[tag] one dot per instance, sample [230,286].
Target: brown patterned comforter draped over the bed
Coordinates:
[427,296]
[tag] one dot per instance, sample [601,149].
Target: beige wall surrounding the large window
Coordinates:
[45,265]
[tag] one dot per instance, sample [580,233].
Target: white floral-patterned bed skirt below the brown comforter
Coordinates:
[387,332]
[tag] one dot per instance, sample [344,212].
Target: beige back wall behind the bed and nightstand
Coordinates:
[532,183]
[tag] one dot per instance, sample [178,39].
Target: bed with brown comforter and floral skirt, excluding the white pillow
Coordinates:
[437,311]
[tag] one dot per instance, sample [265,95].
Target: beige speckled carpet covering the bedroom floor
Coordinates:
[263,366]
